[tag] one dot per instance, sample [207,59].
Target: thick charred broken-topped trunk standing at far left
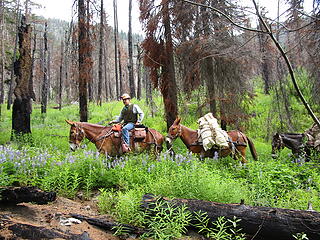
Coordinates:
[22,104]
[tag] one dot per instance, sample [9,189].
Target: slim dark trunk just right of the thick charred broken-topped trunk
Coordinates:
[44,90]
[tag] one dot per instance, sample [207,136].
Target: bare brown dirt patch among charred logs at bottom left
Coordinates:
[51,216]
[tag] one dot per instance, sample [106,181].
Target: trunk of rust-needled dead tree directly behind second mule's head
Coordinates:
[169,85]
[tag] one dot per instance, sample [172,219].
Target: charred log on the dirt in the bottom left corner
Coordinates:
[10,229]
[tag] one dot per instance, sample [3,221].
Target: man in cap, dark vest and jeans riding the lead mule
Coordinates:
[131,115]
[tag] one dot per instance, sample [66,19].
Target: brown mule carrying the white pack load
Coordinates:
[238,142]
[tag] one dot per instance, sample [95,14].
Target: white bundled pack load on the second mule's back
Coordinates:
[211,134]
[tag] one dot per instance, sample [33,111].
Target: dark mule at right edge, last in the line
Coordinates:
[296,142]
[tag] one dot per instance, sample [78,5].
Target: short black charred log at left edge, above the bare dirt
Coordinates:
[15,195]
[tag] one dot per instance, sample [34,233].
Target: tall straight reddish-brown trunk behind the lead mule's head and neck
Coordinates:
[83,65]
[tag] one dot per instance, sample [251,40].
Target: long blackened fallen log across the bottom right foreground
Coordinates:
[259,222]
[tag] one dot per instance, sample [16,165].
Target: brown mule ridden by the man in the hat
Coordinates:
[108,141]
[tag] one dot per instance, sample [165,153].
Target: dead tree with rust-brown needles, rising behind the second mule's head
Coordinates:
[158,56]
